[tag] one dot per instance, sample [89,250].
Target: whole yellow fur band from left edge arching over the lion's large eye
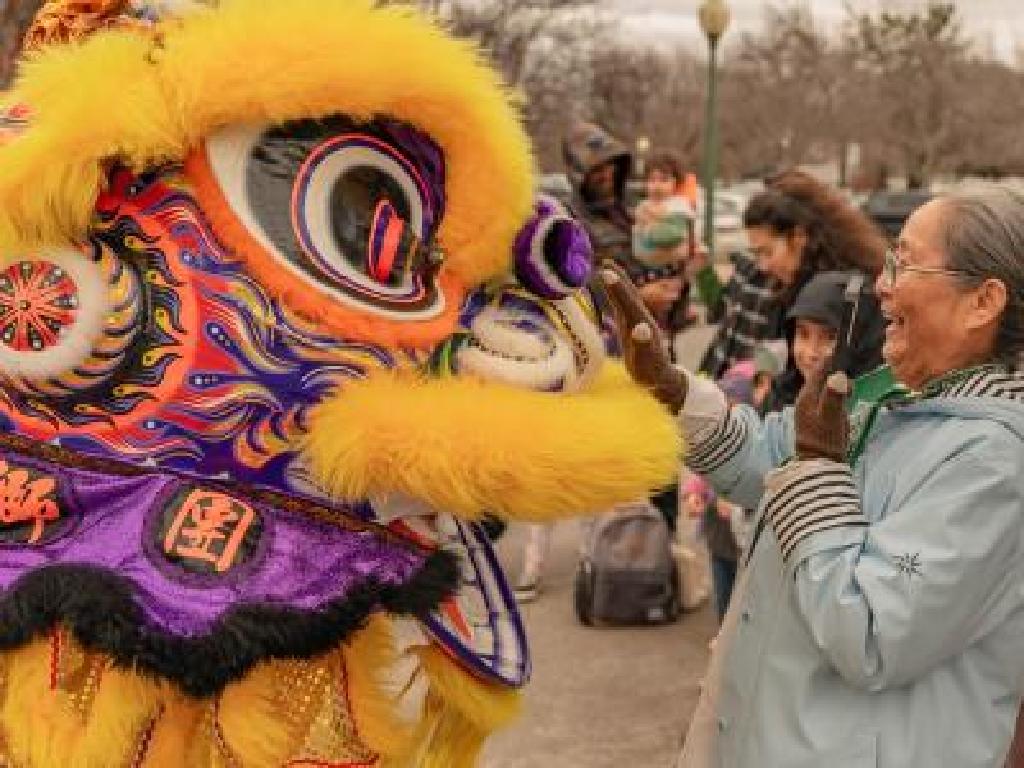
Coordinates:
[142,95]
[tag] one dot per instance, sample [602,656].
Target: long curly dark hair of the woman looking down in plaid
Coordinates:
[839,237]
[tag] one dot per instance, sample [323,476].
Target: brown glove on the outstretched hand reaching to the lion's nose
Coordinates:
[645,351]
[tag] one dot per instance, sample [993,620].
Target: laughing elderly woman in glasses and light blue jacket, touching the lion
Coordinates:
[881,619]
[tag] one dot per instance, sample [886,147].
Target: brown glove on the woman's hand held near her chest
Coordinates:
[823,426]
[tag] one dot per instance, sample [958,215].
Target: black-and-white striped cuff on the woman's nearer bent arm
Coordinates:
[808,497]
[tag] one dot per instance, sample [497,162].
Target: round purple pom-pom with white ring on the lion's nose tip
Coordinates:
[553,255]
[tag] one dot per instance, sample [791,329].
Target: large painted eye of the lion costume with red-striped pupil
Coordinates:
[349,209]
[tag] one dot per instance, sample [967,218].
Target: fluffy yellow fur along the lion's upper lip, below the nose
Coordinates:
[471,448]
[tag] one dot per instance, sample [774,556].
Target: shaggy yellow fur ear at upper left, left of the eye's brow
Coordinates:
[82,107]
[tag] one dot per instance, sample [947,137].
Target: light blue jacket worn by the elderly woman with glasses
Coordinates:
[899,643]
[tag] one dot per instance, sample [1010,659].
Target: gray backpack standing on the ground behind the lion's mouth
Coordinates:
[627,574]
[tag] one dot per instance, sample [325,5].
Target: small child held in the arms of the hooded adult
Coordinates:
[664,244]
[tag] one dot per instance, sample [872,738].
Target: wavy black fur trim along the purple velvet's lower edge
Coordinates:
[99,608]
